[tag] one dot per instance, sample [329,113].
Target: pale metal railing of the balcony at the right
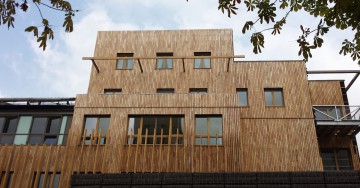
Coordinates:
[337,112]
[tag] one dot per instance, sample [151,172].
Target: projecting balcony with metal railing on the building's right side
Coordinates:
[338,120]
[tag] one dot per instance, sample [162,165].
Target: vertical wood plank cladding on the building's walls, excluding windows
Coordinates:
[255,138]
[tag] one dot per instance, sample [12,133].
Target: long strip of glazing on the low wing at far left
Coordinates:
[24,130]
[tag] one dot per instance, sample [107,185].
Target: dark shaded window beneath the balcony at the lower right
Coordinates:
[336,159]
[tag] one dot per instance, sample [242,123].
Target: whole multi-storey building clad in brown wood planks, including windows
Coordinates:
[181,101]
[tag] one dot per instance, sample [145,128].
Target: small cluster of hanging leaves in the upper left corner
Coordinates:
[8,10]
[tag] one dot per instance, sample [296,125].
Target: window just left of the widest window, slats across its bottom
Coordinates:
[93,126]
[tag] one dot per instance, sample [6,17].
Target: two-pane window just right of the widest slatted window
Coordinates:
[208,130]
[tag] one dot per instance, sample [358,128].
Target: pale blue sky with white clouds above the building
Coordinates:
[27,71]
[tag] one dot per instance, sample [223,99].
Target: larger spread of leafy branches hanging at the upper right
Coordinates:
[339,14]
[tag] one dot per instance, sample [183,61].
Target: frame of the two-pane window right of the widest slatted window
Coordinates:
[208,136]
